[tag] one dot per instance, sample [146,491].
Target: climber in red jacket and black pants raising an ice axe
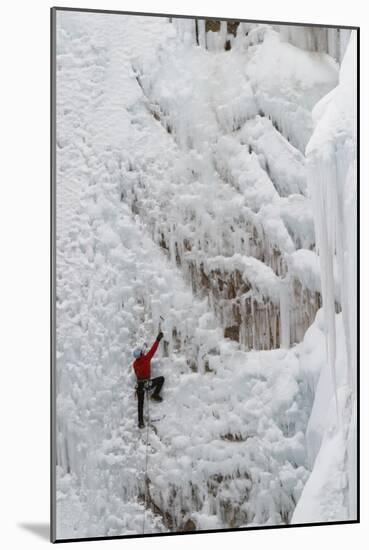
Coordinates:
[142,368]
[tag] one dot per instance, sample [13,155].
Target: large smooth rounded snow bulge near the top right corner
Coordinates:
[288,88]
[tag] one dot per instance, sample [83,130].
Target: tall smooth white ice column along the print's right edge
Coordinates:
[331,155]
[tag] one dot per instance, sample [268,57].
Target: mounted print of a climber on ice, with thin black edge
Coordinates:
[204,274]
